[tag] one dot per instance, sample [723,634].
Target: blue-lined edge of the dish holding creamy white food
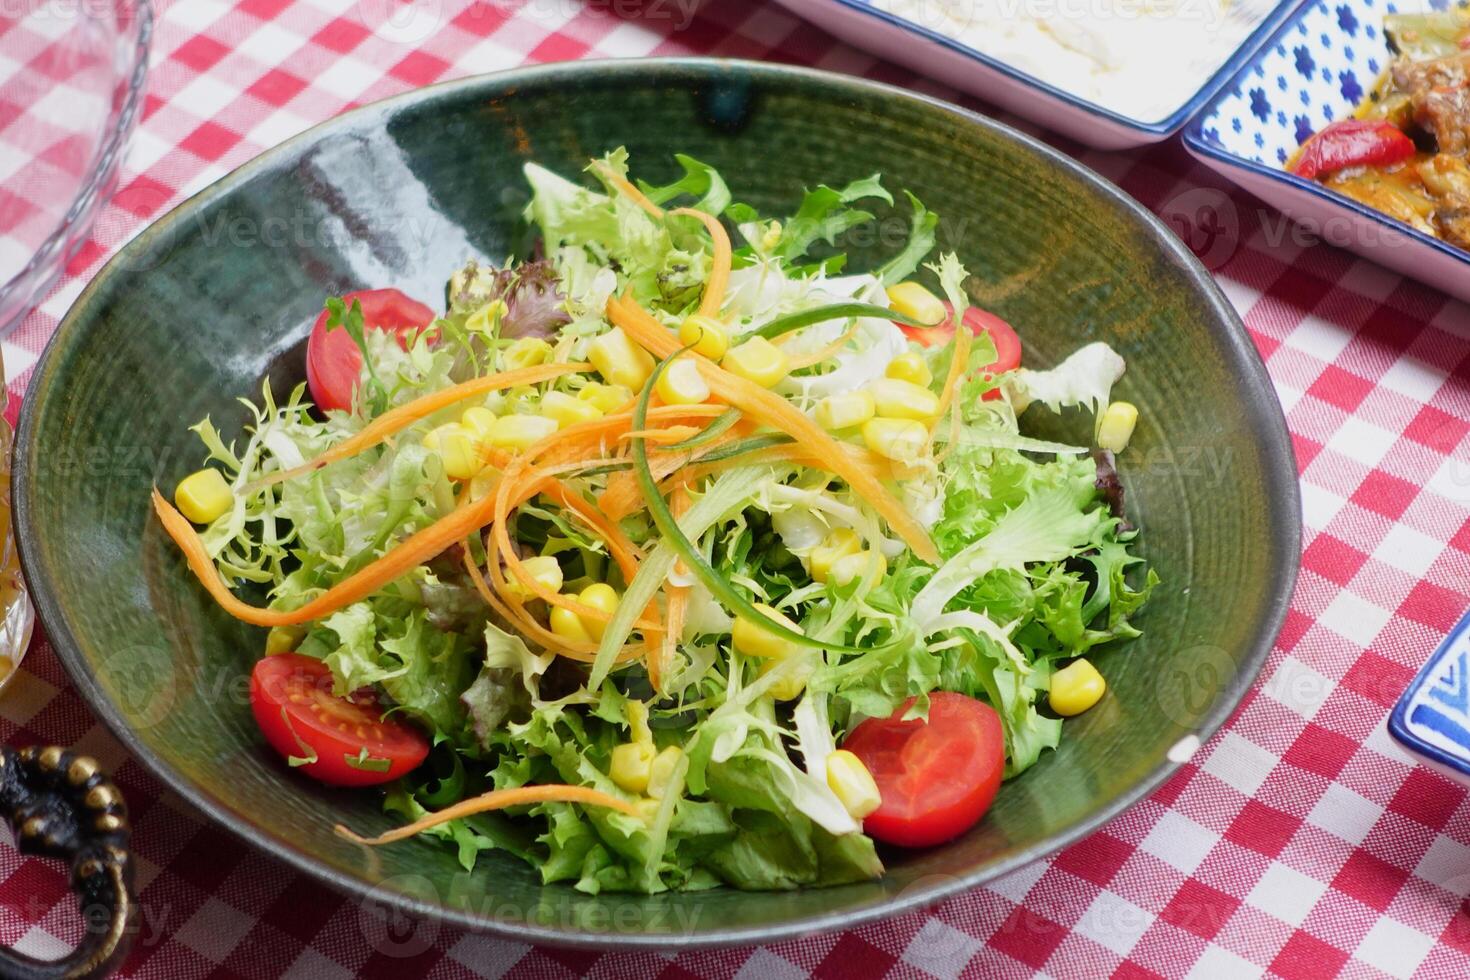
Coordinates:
[1281,15]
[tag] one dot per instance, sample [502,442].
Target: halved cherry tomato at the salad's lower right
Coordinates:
[939,777]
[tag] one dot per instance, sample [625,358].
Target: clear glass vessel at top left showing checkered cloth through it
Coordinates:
[71,90]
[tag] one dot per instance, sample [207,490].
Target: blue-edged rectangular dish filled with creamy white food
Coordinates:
[1106,73]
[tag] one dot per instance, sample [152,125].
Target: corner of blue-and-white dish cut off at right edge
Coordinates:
[1433,719]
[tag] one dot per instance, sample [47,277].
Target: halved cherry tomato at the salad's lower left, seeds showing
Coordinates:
[292,699]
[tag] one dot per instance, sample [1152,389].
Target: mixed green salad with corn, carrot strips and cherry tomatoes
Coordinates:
[674,553]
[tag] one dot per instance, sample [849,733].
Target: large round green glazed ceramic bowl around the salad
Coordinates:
[218,296]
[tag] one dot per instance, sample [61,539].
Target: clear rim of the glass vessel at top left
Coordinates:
[30,284]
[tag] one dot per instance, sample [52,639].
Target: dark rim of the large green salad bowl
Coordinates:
[1263,406]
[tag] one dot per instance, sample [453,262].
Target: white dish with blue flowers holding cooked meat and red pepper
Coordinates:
[1318,68]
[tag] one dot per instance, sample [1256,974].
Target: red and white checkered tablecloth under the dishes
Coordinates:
[1297,844]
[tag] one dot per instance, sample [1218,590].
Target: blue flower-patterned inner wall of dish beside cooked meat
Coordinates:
[1319,70]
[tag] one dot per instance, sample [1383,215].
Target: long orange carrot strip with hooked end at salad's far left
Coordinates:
[404,558]
